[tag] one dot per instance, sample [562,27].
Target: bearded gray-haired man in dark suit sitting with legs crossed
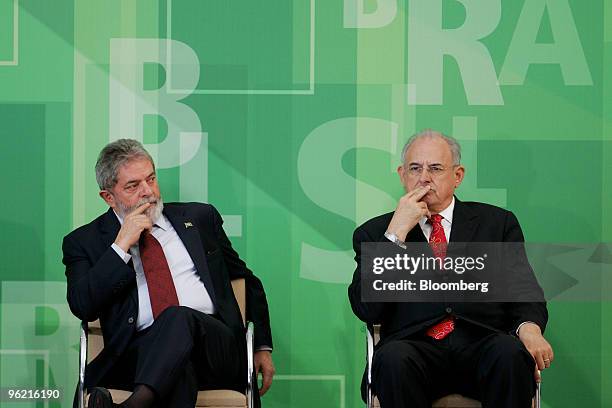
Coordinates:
[158,278]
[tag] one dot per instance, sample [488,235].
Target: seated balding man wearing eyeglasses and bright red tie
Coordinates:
[490,352]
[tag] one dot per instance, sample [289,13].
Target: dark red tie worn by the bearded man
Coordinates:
[162,292]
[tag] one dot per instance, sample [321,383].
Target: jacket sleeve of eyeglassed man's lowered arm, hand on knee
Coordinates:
[523,280]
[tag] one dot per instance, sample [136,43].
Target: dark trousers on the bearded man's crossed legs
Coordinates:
[184,350]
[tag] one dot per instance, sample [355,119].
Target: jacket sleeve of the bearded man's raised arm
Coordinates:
[93,287]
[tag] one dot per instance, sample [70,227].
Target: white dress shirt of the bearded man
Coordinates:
[190,290]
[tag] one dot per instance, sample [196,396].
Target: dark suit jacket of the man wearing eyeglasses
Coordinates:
[472,222]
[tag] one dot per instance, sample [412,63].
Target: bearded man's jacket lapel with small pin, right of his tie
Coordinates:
[189,234]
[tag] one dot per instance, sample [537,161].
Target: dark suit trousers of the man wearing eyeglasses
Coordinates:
[494,368]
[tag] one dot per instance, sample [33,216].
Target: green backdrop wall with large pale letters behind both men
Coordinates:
[289,117]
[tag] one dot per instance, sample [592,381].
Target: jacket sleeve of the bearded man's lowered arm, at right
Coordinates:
[256,302]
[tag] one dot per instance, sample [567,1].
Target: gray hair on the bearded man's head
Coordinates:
[113,156]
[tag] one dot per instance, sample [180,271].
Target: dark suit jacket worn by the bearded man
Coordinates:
[101,285]
